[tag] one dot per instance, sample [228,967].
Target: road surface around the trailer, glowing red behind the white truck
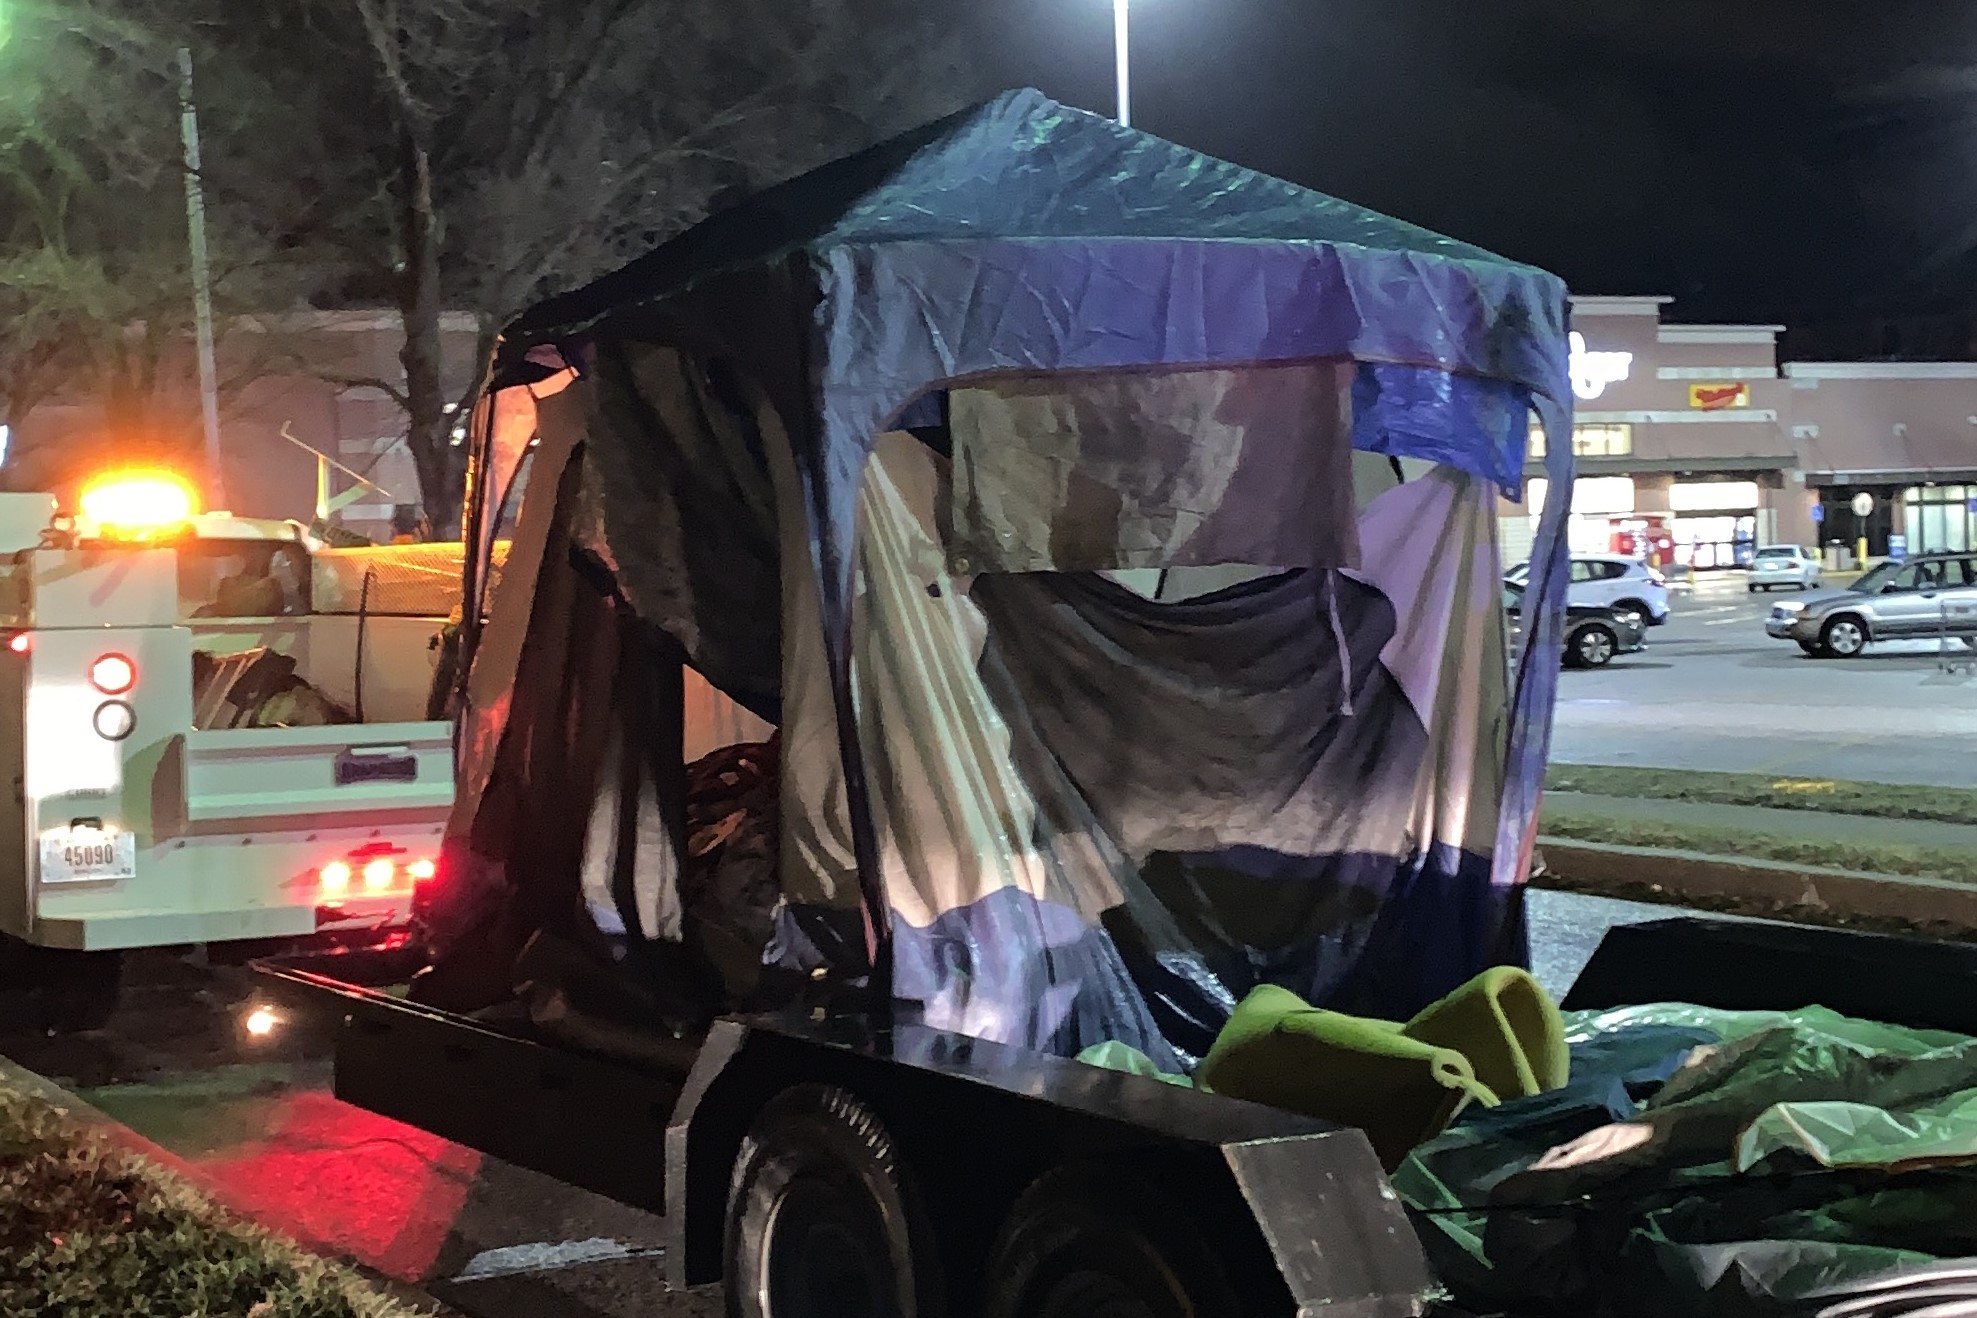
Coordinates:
[485,1238]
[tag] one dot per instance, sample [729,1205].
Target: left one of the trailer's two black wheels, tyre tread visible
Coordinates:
[823,1220]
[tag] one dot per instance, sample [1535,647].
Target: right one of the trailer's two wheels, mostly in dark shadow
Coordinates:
[1086,1242]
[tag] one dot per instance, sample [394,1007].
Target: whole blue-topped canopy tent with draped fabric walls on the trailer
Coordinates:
[1106,533]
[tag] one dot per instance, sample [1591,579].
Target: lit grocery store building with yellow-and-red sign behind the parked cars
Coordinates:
[1693,438]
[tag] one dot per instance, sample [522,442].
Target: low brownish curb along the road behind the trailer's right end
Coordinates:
[1759,886]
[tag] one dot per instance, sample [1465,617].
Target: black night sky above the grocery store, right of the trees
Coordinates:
[1757,159]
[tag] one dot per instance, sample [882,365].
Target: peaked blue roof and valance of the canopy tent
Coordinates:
[1073,242]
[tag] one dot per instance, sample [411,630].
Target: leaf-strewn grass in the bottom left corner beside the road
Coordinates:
[88,1230]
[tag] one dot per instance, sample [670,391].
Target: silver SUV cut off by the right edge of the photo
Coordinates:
[1895,602]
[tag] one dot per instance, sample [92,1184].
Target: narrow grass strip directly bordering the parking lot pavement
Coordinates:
[1895,801]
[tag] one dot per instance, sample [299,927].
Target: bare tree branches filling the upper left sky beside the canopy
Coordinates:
[440,155]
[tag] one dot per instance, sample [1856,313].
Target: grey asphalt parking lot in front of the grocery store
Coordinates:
[1715,693]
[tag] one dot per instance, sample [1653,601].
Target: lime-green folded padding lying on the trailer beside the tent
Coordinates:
[1496,1038]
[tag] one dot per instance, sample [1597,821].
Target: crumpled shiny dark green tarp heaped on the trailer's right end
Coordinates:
[1707,1163]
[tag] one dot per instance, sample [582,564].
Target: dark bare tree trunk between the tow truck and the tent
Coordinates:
[428,432]
